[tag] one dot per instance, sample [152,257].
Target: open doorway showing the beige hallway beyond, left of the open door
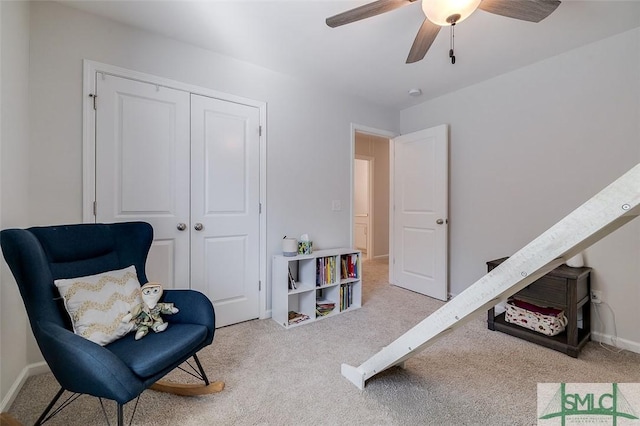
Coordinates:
[370,197]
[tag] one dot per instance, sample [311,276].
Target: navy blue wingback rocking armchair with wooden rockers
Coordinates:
[123,369]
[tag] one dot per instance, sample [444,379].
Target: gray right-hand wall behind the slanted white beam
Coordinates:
[528,147]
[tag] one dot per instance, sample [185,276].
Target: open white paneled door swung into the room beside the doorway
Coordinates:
[420,211]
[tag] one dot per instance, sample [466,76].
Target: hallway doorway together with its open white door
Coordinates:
[414,252]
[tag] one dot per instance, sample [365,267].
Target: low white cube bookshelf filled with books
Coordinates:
[325,283]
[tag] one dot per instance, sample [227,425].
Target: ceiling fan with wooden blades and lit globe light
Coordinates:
[440,13]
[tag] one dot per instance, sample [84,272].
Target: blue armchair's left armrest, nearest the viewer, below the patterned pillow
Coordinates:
[83,366]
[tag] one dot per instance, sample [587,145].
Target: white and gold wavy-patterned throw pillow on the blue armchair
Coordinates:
[97,303]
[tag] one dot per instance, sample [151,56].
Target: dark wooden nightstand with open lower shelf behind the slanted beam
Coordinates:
[564,288]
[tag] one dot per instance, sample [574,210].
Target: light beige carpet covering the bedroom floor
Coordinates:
[274,376]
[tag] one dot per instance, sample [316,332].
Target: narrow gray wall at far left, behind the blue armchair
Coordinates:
[14,147]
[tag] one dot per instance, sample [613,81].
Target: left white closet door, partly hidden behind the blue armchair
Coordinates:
[142,168]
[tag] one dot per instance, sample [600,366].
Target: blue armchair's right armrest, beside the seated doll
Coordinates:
[195,308]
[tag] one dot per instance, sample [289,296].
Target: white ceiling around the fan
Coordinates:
[367,58]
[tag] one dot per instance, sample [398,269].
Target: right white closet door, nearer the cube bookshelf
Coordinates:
[225,197]
